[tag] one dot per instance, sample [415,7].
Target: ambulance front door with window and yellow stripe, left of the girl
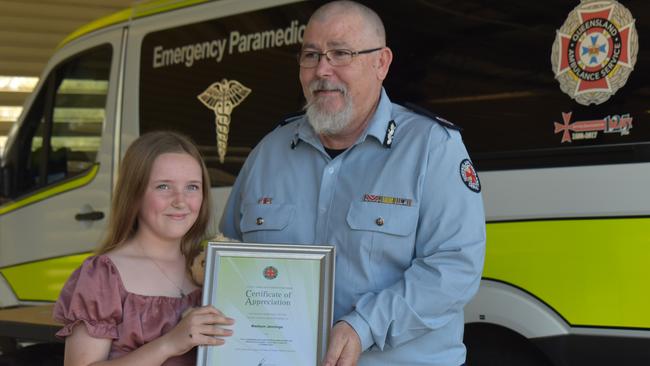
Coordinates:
[57,170]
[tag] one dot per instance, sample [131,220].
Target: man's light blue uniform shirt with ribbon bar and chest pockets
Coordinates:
[403,209]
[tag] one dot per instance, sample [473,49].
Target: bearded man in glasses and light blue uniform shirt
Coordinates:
[393,190]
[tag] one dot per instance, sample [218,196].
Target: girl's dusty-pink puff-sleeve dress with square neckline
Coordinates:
[95,296]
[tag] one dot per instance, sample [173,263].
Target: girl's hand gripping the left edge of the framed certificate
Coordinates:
[200,327]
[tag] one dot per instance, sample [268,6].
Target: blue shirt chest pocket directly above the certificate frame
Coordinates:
[262,223]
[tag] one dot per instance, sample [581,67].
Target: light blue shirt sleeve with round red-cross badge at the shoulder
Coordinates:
[446,269]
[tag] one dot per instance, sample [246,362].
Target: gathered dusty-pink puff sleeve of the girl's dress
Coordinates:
[91,296]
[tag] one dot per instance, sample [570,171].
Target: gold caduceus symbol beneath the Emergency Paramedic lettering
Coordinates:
[222,97]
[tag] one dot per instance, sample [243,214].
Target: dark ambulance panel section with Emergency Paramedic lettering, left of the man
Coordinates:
[224,82]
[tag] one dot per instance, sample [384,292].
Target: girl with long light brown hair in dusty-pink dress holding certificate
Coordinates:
[124,305]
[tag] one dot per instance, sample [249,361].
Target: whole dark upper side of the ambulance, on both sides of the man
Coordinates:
[484,66]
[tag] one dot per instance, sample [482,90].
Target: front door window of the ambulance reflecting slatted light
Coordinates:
[62,132]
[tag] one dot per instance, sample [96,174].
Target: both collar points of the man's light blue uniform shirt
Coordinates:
[377,126]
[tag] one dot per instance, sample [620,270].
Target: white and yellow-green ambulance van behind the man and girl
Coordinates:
[553,98]
